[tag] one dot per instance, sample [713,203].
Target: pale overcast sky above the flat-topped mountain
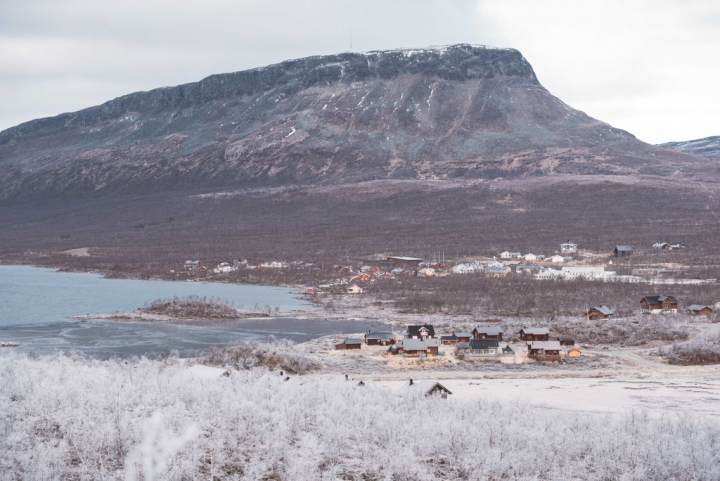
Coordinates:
[649,67]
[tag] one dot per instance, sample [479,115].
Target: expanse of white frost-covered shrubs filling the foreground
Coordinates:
[75,418]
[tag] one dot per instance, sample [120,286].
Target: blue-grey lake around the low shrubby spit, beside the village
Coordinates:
[37,304]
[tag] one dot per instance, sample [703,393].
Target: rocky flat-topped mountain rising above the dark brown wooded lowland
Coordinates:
[445,113]
